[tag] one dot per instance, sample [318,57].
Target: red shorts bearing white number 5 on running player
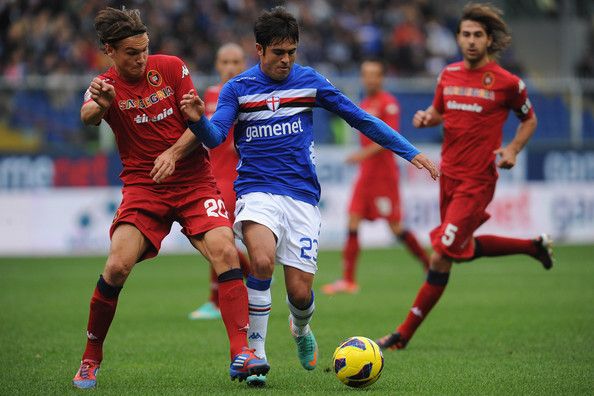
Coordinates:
[463,205]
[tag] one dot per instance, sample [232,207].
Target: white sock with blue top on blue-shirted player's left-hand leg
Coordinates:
[259,304]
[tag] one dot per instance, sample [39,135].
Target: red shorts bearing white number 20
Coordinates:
[154,209]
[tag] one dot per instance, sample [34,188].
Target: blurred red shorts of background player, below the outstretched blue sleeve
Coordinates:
[372,200]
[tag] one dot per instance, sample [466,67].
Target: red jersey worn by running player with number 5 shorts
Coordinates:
[475,104]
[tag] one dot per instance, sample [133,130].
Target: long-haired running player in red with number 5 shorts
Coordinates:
[472,100]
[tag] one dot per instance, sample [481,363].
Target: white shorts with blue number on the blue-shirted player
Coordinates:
[295,224]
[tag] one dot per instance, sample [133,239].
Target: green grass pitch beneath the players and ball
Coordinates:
[503,326]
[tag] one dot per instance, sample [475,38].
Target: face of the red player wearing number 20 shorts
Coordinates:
[129,56]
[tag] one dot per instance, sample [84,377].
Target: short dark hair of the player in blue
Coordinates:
[275,26]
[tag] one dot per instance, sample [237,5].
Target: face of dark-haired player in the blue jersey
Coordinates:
[278,59]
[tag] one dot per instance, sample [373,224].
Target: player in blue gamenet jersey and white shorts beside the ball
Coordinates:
[277,214]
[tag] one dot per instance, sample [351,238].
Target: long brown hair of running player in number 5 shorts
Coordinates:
[491,18]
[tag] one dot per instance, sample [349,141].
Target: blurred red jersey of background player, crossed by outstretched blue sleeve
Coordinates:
[380,166]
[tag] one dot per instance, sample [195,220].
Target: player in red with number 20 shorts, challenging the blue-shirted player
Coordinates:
[139,98]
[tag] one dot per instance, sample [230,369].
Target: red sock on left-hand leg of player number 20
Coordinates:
[101,313]
